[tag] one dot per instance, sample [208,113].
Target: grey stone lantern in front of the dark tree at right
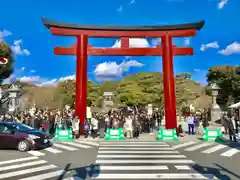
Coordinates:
[215,109]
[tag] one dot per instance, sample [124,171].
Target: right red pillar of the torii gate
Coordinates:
[169,83]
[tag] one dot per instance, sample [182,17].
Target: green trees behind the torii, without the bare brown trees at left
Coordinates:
[134,90]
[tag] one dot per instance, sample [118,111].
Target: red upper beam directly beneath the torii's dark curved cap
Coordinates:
[116,34]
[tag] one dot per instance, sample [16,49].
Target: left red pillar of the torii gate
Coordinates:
[81,80]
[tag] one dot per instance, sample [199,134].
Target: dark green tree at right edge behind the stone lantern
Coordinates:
[228,79]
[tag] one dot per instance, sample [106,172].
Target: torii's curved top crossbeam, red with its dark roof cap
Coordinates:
[179,30]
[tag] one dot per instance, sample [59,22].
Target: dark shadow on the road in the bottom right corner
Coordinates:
[219,172]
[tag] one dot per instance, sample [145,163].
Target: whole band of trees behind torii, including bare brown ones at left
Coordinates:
[133,90]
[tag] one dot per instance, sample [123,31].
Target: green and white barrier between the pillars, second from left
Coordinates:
[114,134]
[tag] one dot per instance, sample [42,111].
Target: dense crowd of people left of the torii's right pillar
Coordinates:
[133,123]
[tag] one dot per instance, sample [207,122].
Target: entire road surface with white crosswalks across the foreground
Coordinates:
[123,160]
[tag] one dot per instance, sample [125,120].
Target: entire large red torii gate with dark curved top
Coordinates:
[82,49]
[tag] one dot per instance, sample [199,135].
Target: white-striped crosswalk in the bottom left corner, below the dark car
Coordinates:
[28,168]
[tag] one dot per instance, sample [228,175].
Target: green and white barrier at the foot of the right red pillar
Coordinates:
[167,135]
